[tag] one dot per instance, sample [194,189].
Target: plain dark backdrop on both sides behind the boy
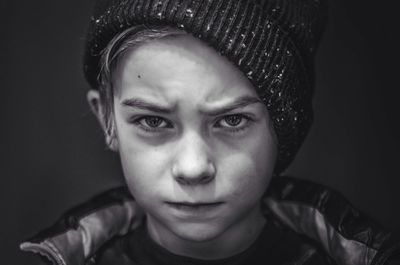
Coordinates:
[53,154]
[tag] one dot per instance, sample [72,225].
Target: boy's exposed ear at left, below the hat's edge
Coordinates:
[96,106]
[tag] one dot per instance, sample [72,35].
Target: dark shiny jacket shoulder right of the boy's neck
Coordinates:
[346,234]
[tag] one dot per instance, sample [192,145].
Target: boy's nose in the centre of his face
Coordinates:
[193,163]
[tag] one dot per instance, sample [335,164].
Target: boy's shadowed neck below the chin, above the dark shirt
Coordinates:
[231,241]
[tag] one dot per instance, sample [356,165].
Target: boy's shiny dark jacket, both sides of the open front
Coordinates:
[84,235]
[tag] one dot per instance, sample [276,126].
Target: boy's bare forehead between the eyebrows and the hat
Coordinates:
[174,68]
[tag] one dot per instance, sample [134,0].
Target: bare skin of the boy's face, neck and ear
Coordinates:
[190,128]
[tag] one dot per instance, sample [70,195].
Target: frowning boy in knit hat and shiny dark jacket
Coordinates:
[207,102]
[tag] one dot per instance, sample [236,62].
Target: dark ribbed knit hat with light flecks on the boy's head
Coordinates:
[272,42]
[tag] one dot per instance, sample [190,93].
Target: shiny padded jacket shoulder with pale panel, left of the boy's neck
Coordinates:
[78,235]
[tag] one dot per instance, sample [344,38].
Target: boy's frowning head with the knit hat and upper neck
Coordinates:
[200,134]
